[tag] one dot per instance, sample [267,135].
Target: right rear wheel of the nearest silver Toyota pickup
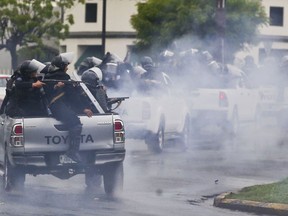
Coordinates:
[113,176]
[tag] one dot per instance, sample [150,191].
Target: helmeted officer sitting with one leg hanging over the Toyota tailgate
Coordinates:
[60,97]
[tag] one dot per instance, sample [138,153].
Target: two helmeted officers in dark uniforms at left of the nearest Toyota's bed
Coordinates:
[31,95]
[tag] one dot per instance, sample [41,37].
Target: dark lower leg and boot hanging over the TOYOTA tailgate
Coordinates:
[74,144]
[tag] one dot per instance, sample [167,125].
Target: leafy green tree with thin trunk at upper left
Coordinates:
[30,22]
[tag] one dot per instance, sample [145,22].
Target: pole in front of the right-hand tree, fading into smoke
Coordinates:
[221,24]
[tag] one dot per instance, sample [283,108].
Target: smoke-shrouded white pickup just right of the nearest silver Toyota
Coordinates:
[157,120]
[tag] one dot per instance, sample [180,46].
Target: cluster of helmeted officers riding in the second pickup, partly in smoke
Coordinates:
[122,76]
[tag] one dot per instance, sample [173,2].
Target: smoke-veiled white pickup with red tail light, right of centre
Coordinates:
[227,106]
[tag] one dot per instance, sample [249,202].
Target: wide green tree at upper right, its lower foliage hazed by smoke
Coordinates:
[160,23]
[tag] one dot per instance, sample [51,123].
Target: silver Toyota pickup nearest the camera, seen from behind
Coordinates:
[37,145]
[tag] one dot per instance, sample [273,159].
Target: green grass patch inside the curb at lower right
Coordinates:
[272,193]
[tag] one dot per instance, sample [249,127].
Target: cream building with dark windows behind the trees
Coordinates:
[86,36]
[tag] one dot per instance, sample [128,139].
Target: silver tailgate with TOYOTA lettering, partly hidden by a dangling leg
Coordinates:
[48,134]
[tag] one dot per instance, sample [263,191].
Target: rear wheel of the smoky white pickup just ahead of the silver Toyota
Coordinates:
[155,142]
